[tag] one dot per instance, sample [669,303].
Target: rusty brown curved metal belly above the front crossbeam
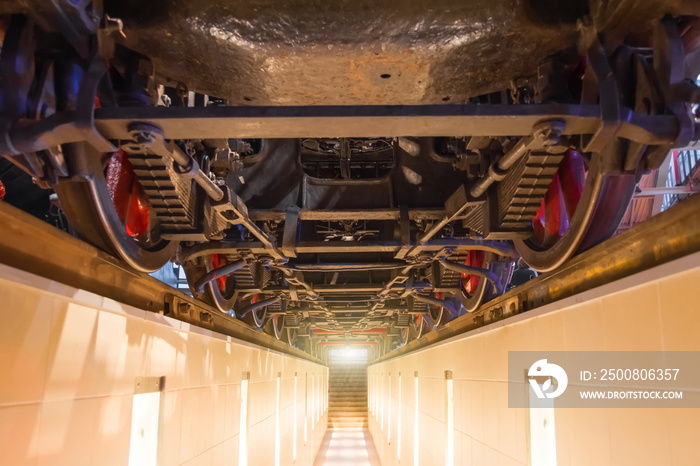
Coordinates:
[300,52]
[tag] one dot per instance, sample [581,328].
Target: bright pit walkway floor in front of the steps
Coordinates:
[347,446]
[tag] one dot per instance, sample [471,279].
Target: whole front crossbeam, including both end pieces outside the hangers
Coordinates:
[339,121]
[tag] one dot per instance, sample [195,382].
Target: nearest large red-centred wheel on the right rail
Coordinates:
[583,207]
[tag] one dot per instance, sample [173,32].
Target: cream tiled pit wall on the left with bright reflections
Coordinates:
[68,363]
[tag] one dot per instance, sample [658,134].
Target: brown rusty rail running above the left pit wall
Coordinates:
[29,244]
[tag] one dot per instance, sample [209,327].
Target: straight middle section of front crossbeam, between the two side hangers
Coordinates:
[347,121]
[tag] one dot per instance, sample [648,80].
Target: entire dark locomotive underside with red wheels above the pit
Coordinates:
[359,171]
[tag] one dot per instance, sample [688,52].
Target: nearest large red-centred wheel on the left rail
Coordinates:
[108,208]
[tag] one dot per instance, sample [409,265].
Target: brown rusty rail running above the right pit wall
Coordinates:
[670,235]
